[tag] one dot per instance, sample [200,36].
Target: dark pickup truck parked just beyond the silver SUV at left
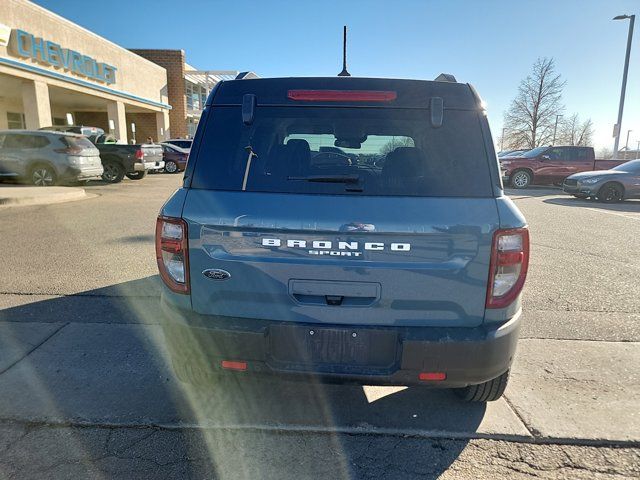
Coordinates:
[119,160]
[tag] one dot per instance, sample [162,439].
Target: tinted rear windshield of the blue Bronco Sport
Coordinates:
[351,151]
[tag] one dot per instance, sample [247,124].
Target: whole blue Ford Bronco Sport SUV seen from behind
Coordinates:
[276,261]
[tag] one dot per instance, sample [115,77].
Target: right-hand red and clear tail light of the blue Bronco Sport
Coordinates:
[508,268]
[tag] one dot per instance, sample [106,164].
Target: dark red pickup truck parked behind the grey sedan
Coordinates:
[550,165]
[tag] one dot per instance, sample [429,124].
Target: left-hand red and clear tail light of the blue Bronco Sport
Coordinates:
[172,253]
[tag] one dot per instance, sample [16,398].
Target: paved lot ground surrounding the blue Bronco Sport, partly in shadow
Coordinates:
[83,365]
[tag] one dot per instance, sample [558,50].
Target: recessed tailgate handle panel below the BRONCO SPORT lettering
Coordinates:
[325,292]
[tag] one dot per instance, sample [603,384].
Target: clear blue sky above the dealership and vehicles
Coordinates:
[491,44]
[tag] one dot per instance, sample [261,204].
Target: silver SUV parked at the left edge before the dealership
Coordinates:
[48,158]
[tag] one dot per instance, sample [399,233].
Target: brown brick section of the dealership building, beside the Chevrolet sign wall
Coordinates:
[173,62]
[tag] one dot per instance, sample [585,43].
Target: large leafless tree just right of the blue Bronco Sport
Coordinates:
[530,119]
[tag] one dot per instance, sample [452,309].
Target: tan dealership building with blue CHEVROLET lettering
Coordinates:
[54,72]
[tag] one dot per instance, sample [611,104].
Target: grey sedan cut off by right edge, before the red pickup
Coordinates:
[609,186]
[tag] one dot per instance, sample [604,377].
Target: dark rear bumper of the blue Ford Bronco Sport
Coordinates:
[466,355]
